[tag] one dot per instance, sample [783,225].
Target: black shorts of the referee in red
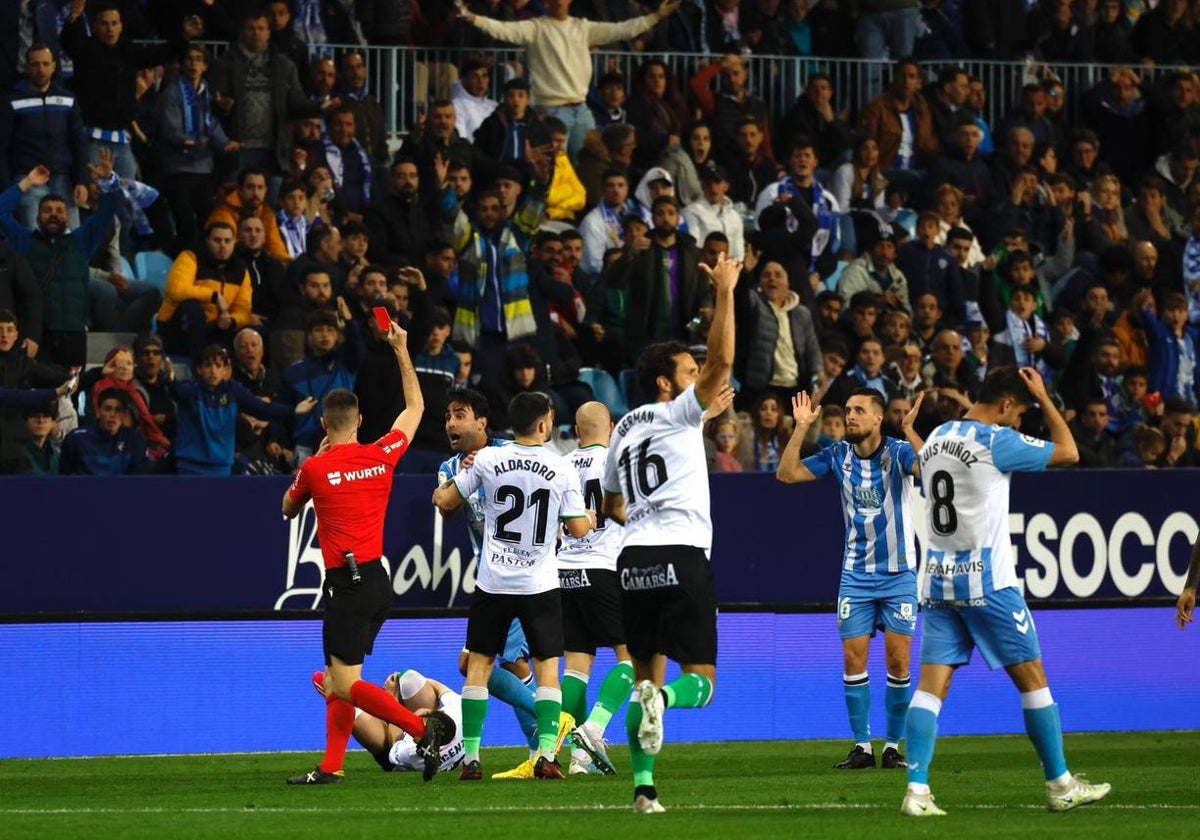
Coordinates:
[355,613]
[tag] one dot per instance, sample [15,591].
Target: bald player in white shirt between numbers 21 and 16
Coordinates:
[587,575]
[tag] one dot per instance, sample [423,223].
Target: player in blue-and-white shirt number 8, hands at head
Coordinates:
[970,593]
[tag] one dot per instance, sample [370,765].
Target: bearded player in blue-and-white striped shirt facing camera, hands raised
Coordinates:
[879,575]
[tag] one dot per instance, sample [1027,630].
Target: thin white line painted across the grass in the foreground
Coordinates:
[543,809]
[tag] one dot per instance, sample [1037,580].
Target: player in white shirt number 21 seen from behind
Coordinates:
[529,490]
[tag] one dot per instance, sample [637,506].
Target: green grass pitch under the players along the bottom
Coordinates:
[991,787]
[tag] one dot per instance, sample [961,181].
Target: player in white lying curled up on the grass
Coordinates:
[392,747]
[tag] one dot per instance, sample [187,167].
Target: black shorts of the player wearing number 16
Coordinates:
[669,603]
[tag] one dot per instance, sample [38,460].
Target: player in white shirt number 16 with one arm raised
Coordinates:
[657,484]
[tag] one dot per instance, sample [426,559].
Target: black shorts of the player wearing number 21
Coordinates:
[541,616]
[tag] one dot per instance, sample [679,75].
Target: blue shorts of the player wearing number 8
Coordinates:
[1003,628]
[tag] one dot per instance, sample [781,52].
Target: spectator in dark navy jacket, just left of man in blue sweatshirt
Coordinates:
[109,447]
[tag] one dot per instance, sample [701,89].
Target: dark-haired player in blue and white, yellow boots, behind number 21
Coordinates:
[512,682]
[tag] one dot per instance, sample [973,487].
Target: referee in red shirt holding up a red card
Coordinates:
[350,485]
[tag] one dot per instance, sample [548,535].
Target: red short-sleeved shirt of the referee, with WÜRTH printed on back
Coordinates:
[350,487]
